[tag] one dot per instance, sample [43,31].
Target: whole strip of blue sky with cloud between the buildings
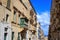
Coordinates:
[42,8]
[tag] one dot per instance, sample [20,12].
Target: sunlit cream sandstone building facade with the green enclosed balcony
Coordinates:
[21,17]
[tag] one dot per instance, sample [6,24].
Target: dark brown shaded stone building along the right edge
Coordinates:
[54,29]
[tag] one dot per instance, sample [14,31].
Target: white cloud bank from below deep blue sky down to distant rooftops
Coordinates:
[44,19]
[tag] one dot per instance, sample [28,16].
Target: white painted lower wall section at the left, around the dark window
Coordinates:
[2,31]
